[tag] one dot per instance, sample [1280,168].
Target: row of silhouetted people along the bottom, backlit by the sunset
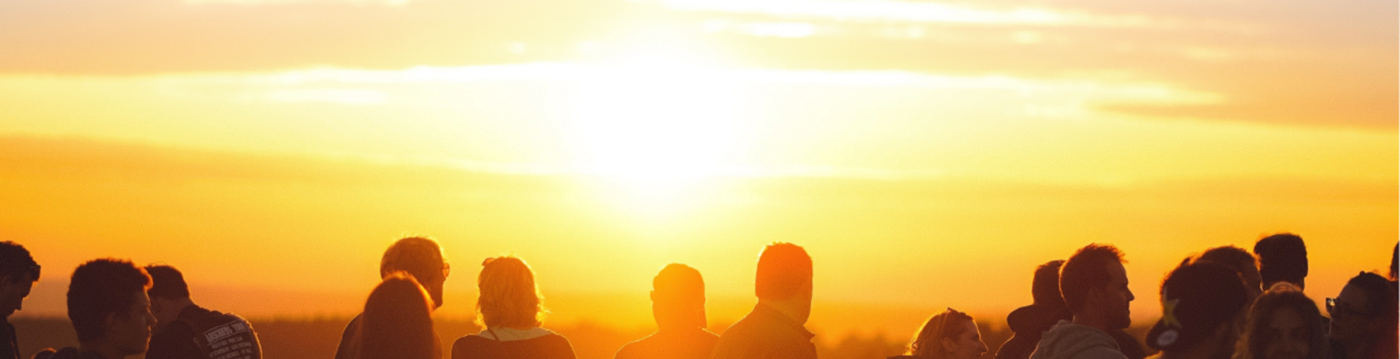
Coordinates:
[1223,304]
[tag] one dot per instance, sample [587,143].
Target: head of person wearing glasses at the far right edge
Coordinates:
[1364,312]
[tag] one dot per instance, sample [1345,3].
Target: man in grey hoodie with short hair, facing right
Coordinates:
[1095,288]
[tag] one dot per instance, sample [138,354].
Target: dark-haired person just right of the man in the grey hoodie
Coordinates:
[1200,302]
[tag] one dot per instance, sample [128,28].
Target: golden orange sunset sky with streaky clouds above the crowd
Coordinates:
[927,155]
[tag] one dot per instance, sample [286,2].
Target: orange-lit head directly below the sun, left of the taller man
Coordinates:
[678,298]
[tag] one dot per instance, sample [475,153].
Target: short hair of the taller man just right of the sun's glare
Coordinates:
[783,270]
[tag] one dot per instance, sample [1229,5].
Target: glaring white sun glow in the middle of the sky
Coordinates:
[656,124]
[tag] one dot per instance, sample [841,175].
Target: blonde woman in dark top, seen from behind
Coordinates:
[512,311]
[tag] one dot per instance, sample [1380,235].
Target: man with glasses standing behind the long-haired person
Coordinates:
[419,257]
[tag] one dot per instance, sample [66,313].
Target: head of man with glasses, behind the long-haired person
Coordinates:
[421,257]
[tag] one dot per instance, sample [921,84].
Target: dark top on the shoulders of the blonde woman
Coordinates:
[548,347]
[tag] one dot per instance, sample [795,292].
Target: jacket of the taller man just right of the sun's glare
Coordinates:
[765,334]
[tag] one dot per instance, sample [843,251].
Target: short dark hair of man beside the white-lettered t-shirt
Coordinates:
[100,288]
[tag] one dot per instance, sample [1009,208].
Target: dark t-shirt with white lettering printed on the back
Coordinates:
[205,334]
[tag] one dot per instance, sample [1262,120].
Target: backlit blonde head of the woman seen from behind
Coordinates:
[509,295]
